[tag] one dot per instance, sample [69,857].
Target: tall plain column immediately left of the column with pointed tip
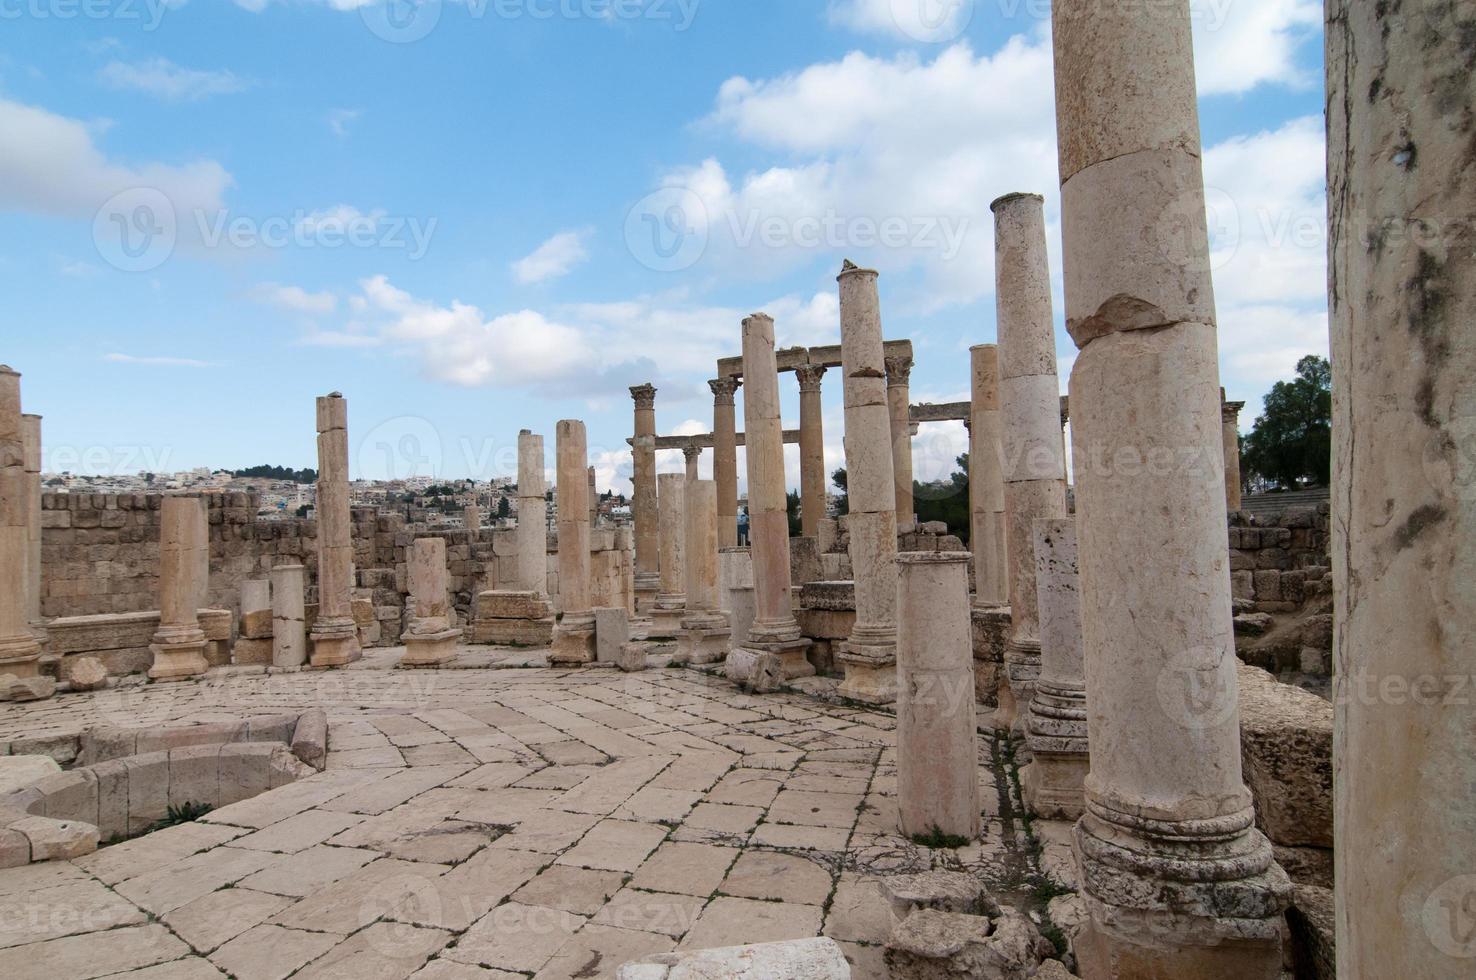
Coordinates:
[774,629]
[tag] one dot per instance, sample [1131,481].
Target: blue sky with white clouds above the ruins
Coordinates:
[213,212]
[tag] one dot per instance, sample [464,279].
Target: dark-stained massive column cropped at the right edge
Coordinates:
[1403,302]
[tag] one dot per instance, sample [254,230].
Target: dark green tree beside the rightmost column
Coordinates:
[1292,442]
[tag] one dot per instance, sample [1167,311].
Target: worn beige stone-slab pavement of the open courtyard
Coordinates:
[514,823]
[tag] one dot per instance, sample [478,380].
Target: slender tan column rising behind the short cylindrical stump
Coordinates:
[987,482]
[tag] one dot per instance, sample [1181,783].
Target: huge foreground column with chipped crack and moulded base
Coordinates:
[1177,880]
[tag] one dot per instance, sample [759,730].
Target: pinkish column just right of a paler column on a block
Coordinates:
[575,635]
